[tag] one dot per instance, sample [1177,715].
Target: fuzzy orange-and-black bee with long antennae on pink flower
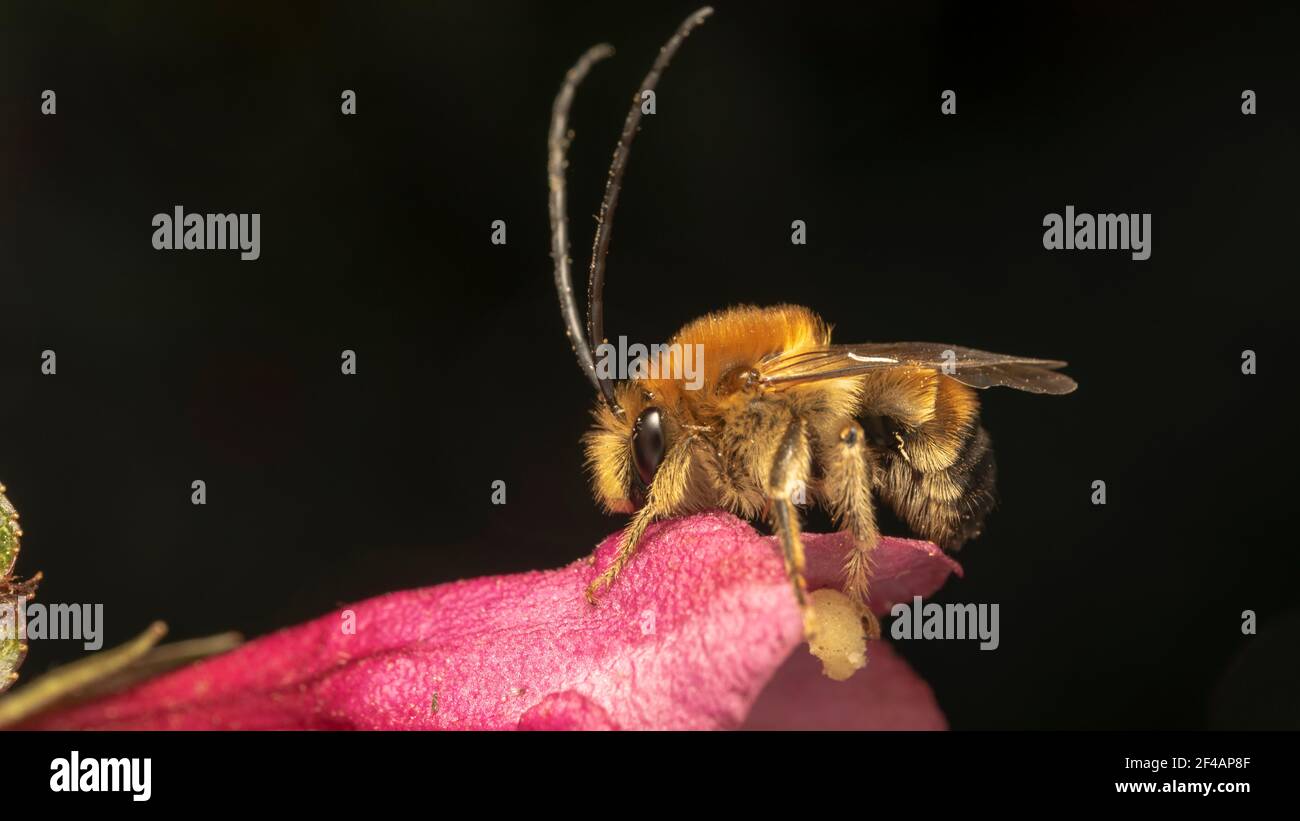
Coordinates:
[782,415]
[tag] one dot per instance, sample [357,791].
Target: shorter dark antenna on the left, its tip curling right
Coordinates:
[557,146]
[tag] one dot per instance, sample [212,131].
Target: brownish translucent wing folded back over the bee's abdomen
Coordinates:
[968,366]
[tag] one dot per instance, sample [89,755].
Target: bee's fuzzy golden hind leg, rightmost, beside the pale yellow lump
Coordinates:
[847,488]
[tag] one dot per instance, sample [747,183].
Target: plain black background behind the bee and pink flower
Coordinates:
[327,489]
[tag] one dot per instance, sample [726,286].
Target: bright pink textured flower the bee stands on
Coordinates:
[687,638]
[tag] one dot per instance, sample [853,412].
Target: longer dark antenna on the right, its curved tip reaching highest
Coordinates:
[605,221]
